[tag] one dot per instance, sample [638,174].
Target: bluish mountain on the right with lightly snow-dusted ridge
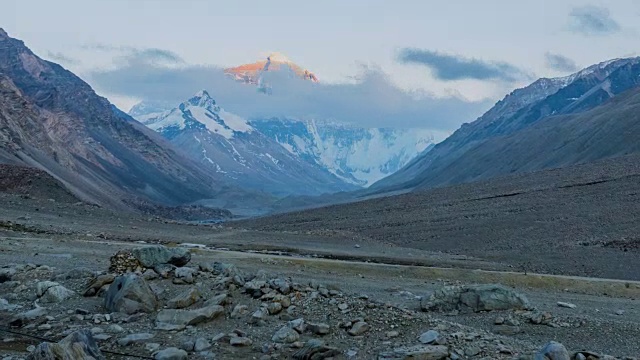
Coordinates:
[546,124]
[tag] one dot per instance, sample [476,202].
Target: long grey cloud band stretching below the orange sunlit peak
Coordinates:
[371,100]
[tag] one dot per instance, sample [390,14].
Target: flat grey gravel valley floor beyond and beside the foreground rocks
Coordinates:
[606,318]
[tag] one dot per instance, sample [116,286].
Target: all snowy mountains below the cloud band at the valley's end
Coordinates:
[283,156]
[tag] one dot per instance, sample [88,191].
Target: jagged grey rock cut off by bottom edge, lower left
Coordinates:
[79,345]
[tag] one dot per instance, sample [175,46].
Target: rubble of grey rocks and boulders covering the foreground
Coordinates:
[153,302]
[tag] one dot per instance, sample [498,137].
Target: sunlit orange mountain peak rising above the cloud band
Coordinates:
[252,73]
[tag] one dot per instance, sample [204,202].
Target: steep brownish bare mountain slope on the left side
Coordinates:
[52,120]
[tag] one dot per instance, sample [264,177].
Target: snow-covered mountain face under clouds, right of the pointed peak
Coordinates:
[359,156]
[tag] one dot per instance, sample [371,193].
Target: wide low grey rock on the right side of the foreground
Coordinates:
[474,298]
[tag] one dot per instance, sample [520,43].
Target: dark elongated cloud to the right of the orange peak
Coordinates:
[454,67]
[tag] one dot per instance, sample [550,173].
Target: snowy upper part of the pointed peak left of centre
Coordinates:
[200,110]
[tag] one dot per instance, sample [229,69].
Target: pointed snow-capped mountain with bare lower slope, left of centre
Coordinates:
[234,150]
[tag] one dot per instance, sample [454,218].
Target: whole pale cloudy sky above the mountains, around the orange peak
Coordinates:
[423,63]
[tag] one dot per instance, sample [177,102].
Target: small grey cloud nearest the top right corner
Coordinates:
[592,20]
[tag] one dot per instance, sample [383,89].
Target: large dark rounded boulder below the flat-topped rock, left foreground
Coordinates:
[130,294]
